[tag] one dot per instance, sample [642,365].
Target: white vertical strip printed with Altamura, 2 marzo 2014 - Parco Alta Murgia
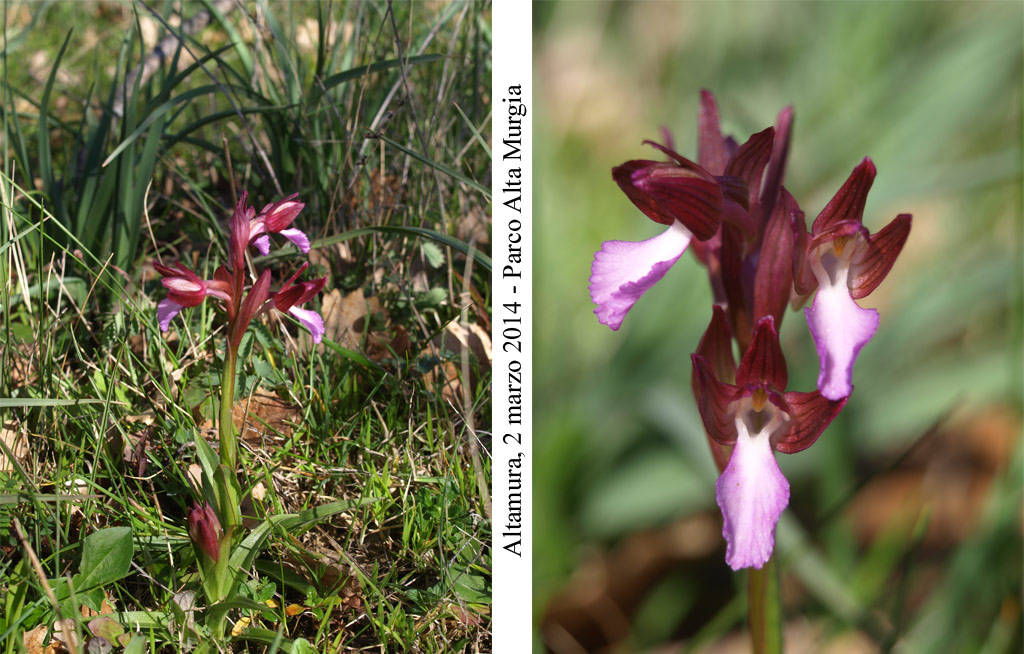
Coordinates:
[513,627]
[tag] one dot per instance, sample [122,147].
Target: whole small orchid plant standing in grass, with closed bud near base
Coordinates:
[215,524]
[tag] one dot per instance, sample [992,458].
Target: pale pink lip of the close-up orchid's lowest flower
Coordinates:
[752,493]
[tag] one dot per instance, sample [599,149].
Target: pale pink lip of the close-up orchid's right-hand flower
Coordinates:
[840,329]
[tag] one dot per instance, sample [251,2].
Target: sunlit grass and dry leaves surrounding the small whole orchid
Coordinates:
[98,410]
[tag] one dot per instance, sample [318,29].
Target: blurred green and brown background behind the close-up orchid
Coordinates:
[905,529]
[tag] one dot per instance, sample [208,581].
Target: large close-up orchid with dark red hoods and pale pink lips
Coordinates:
[752,237]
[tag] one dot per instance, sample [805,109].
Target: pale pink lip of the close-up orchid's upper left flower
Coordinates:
[624,271]
